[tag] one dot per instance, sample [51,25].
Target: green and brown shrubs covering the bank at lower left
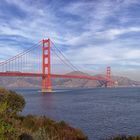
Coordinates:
[16,127]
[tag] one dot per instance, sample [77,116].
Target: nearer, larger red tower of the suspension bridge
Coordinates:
[46,66]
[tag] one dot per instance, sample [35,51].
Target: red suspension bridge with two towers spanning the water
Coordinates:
[36,62]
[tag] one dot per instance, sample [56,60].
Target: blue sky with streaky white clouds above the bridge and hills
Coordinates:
[92,34]
